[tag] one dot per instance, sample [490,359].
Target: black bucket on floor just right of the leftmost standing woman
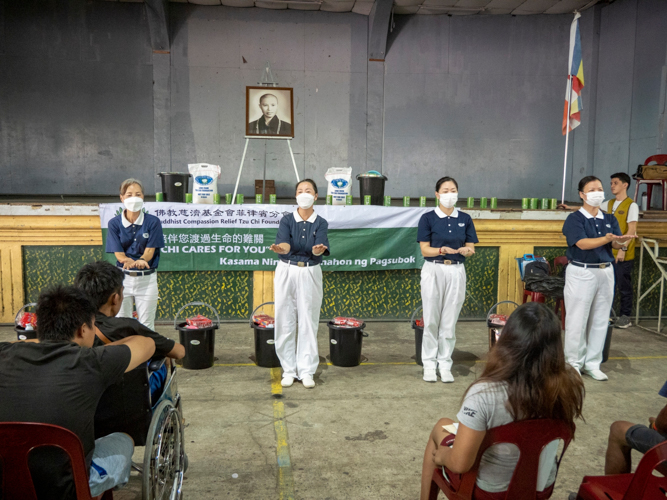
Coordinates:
[199,343]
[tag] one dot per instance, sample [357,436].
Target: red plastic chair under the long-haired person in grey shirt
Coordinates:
[530,436]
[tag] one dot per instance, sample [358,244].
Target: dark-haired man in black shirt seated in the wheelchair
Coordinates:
[103,283]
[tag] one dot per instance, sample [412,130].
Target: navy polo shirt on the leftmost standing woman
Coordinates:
[133,239]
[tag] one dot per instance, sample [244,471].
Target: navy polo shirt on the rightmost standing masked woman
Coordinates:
[580,225]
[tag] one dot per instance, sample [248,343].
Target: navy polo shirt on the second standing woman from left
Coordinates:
[302,236]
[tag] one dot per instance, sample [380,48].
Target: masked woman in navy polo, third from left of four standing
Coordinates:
[446,237]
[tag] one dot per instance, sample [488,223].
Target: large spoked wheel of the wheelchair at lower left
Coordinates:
[164,456]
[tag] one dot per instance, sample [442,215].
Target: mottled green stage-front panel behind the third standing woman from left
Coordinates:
[396,294]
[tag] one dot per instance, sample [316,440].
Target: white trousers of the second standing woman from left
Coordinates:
[298,298]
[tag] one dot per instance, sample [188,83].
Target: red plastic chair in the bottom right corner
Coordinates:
[642,484]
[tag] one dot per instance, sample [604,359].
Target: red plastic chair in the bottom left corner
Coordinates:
[17,439]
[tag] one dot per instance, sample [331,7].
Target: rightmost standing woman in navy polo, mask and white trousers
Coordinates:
[589,280]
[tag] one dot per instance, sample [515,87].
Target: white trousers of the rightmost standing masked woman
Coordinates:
[589,293]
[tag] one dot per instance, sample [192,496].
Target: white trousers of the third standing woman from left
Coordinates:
[443,293]
